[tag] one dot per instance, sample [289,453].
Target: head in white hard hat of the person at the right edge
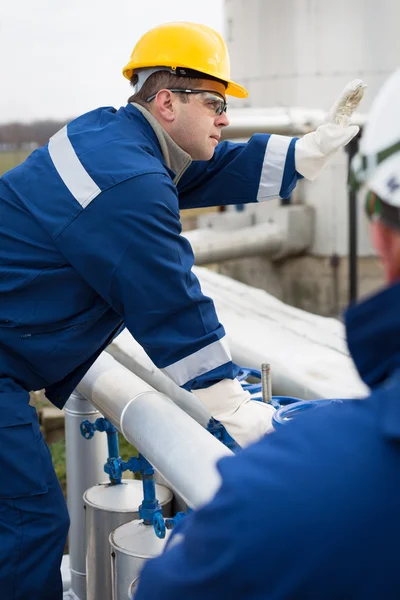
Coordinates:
[377,168]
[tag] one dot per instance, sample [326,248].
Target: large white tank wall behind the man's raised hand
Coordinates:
[302,53]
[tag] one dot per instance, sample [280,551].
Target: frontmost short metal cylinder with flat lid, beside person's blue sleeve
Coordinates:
[131,545]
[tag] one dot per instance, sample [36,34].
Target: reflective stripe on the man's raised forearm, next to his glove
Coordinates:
[273,167]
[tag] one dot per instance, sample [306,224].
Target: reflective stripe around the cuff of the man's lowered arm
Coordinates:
[208,358]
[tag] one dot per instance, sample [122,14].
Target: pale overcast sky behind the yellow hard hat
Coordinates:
[60,58]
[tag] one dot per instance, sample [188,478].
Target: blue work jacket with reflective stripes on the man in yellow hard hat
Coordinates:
[91,242]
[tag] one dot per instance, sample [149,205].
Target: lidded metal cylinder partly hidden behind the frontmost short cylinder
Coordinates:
[108,507]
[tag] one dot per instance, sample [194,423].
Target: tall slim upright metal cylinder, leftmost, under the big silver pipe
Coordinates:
[85,467]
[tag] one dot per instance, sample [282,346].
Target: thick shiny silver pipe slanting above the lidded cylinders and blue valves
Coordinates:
[182,451]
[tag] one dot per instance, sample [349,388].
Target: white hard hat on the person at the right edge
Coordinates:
[378,162]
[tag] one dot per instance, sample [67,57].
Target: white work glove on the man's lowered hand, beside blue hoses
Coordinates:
[244,419]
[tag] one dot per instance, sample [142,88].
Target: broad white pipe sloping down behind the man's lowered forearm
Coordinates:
[308,353]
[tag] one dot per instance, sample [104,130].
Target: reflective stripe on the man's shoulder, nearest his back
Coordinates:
[71,170]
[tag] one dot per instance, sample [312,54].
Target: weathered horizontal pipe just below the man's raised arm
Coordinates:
[212,245]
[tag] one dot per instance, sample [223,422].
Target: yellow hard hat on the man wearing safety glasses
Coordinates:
[185,45]
